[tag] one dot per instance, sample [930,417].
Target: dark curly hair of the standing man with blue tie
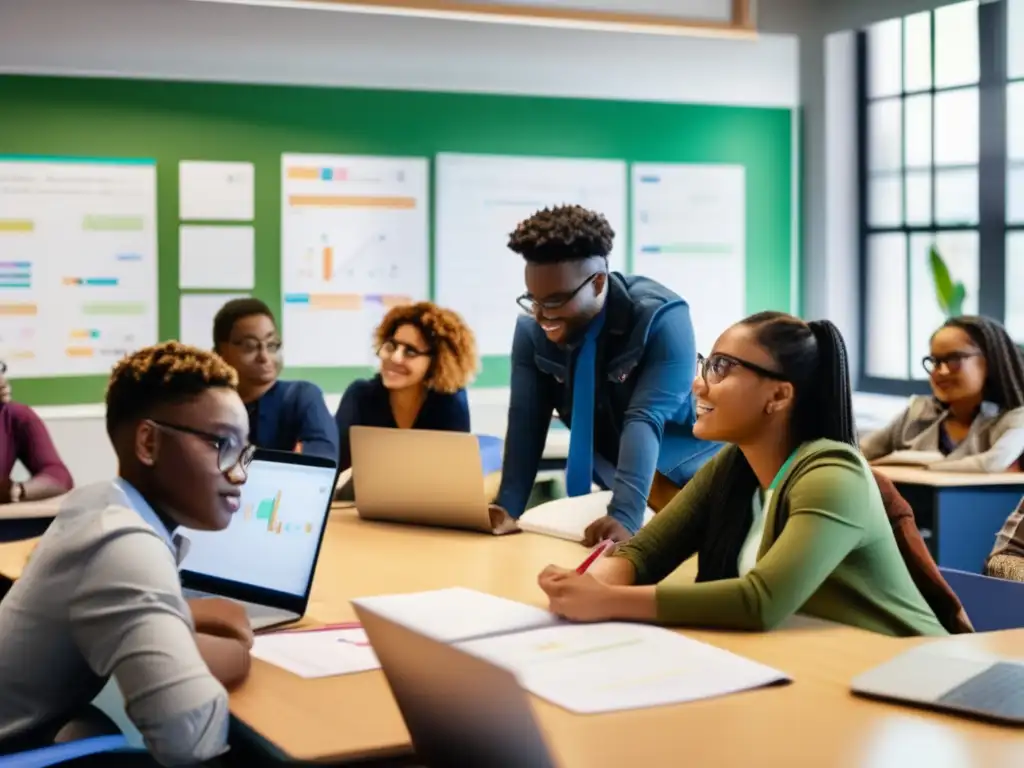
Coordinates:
[563,234]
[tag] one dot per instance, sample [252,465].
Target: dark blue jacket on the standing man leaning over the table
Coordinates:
[645,405]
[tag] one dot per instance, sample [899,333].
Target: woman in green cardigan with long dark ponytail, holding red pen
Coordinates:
[787,519]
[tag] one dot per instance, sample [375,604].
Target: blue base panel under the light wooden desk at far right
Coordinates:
[967,522]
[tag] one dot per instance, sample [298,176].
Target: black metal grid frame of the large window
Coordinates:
[993,165]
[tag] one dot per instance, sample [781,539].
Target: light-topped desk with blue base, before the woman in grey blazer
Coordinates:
[959,514]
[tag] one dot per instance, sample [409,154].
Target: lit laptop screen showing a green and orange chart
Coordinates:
[274,539]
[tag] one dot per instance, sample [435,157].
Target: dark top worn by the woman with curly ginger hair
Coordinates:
[366,404]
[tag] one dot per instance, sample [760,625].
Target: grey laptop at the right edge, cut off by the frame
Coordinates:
[943,676]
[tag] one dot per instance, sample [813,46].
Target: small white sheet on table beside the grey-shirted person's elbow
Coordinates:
[318,654]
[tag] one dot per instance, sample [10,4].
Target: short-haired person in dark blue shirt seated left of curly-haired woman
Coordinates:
[283,415]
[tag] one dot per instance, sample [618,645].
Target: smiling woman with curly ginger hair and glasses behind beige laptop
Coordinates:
[429,357]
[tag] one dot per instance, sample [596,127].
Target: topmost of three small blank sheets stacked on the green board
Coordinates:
[217,192]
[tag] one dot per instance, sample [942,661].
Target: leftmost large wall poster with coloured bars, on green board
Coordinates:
[78,264]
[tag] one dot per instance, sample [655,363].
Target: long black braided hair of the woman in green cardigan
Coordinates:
[813,357]
